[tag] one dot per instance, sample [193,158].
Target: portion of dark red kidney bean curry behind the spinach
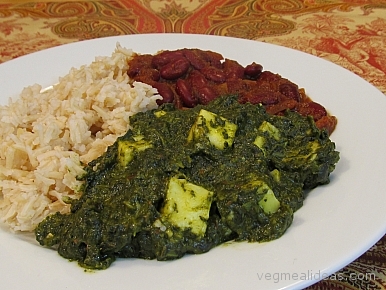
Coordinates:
[188,77]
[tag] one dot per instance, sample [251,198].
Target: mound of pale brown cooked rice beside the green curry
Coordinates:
[45,135]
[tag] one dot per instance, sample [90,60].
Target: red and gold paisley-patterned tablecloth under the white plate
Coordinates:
[351,33]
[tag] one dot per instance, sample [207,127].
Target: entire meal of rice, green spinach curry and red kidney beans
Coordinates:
[126,172]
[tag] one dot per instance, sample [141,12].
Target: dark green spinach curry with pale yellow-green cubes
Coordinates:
[185,181]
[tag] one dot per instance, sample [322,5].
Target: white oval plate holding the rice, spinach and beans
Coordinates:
[337,223]
